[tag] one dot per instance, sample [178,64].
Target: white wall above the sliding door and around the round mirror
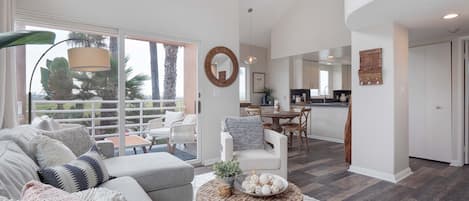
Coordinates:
[176,19]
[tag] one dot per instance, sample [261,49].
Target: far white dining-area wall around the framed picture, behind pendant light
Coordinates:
[260,67]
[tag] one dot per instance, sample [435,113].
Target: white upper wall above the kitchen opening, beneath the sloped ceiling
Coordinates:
[310,26]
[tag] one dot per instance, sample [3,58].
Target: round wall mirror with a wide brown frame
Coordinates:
[221,66]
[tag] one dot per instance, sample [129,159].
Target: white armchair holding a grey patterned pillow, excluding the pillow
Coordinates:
[270,160]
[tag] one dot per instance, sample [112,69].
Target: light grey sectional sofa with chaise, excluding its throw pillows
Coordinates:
[146,177]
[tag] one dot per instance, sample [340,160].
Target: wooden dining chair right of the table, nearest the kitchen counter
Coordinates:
[299,126]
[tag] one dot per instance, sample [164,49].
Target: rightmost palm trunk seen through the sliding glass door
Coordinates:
[170,74]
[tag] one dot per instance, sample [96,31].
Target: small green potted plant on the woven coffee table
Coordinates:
[227,171]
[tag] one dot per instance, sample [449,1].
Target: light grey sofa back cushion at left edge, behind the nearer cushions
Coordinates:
[22,136]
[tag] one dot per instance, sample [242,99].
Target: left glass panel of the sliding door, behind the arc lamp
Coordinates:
[85,98]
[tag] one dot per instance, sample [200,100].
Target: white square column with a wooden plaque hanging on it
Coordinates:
[379,126]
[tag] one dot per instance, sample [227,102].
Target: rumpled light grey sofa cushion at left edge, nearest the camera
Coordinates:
[16,169]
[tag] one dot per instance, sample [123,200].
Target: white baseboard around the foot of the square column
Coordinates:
[393,178]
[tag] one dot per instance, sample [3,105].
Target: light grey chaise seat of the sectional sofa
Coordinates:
[153,171]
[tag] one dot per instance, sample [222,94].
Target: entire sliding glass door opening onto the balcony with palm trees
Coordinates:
[158,77]
